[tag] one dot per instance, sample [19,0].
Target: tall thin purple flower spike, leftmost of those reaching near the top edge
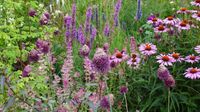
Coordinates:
[74,20]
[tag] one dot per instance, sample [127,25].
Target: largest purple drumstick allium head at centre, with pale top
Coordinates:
[101,61]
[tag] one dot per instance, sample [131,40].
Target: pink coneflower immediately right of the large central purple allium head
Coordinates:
[119,56]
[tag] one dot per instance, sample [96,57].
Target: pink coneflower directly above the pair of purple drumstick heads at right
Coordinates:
[166,60]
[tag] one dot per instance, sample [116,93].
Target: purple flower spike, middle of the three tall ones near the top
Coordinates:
[88,19]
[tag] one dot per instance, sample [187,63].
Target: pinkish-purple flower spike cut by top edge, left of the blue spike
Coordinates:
[116,13]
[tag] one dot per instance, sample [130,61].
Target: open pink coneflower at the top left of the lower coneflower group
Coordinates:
[147,49]
